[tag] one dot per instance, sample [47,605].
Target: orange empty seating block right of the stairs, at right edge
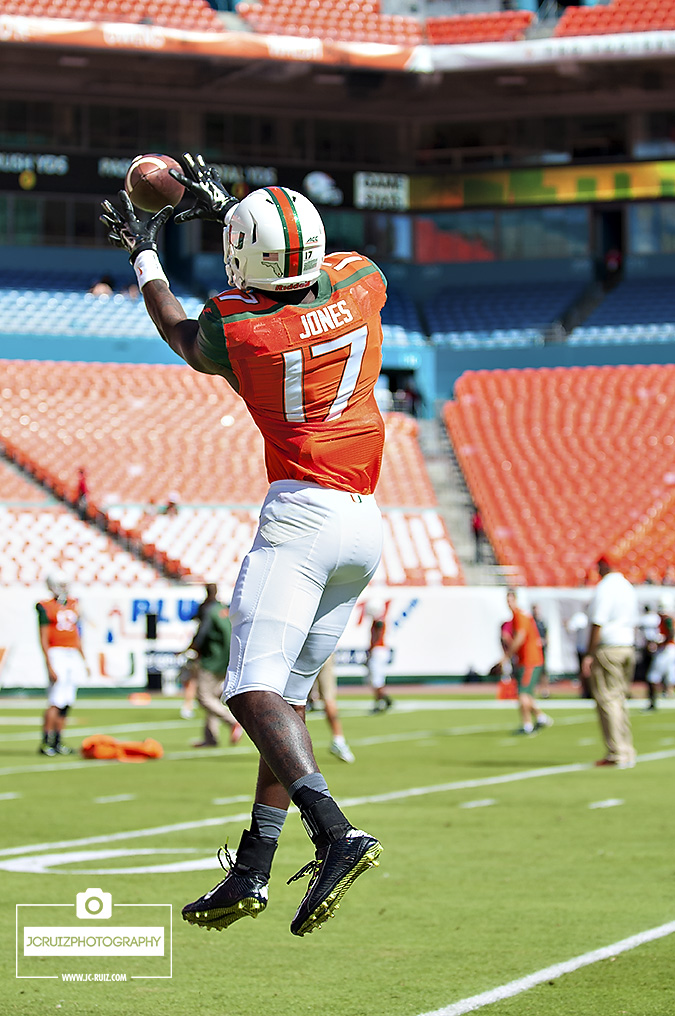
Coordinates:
[568,464]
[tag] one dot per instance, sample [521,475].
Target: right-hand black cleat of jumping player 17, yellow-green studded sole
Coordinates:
[333,872]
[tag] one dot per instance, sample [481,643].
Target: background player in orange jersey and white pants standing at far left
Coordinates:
[60,643]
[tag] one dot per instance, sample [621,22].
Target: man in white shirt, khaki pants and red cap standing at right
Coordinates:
[609,664]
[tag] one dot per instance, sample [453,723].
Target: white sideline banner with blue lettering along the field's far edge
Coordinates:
[433,632]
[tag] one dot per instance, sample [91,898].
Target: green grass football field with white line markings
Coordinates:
[516,878]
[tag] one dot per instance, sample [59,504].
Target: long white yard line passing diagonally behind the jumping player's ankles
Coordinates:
[415,792]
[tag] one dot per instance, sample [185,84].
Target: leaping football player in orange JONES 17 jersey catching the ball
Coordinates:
[298,336]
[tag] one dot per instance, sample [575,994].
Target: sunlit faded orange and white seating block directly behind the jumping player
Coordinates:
[148,434]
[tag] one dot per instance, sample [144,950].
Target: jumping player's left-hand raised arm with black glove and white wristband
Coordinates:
[139,238]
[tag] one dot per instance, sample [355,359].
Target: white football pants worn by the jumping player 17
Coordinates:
[315,551]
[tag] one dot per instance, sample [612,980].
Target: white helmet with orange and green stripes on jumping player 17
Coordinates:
[274,240]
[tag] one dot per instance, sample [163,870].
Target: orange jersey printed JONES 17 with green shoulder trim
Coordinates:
[308,373]
